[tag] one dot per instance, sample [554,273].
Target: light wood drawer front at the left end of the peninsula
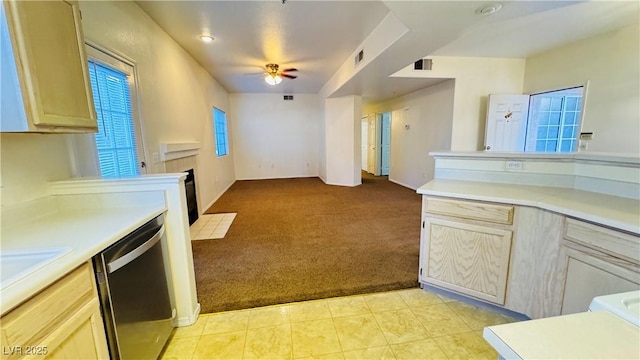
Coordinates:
[501,214]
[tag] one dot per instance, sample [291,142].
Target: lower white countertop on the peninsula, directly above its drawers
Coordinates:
[613,211]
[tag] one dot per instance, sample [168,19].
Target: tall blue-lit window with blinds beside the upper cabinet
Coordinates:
[115,139]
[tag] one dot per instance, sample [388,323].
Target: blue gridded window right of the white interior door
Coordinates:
[554,119]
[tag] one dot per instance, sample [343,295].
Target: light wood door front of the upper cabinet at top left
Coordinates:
[52,64]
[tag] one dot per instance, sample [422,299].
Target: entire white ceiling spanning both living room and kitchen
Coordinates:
[317,37]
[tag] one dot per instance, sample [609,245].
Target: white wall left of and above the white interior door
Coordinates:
[476,78]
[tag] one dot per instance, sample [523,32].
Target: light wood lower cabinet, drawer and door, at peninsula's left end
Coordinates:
[467,256]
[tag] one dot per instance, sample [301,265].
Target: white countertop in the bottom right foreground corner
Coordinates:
[588,335]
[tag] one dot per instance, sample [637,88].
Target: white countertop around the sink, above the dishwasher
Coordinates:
[85,231]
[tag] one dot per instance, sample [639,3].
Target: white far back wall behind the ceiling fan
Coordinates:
[274,138]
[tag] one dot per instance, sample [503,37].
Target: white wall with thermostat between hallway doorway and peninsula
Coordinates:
[429,114]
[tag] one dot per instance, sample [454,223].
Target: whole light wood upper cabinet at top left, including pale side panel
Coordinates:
[44,69]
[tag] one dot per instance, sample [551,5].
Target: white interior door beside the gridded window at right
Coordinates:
[506,126]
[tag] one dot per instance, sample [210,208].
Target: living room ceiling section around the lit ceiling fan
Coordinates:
[313,36]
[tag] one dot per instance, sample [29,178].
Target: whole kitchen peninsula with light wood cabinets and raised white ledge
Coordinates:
[538,234]
